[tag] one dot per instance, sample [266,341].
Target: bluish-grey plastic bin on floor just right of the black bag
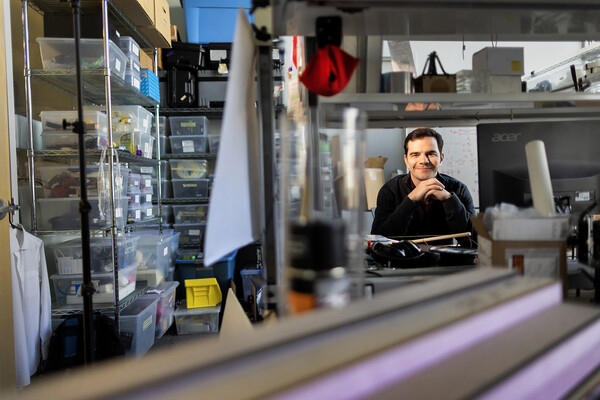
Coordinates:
[138,325]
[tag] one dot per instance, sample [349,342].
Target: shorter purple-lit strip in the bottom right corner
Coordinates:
[556,372]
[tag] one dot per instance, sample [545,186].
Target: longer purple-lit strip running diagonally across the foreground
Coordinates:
[372,375]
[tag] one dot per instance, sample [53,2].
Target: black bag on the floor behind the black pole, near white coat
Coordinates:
[66,344]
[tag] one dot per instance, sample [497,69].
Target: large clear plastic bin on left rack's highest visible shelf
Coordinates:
[58,53]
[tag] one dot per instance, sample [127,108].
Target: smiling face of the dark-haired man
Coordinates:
[423,158]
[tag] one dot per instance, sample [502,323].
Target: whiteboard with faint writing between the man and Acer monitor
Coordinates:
[460,157]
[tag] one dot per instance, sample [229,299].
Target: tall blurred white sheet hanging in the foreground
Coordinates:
[234,216]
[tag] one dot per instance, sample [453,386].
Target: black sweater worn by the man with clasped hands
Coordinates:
[397,215]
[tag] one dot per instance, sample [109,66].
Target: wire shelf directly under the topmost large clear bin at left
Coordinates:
[93,86]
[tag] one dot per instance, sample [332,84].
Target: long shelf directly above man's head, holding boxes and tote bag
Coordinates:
[390,109]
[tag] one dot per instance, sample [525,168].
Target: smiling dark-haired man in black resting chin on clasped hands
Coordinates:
[423,202]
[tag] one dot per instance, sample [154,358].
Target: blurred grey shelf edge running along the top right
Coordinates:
[553,20]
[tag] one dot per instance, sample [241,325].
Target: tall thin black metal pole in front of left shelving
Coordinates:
[84,206]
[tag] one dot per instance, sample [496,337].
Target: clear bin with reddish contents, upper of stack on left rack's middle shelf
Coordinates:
[63,180]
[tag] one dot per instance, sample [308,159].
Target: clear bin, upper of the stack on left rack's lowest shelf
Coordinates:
[69,255]
